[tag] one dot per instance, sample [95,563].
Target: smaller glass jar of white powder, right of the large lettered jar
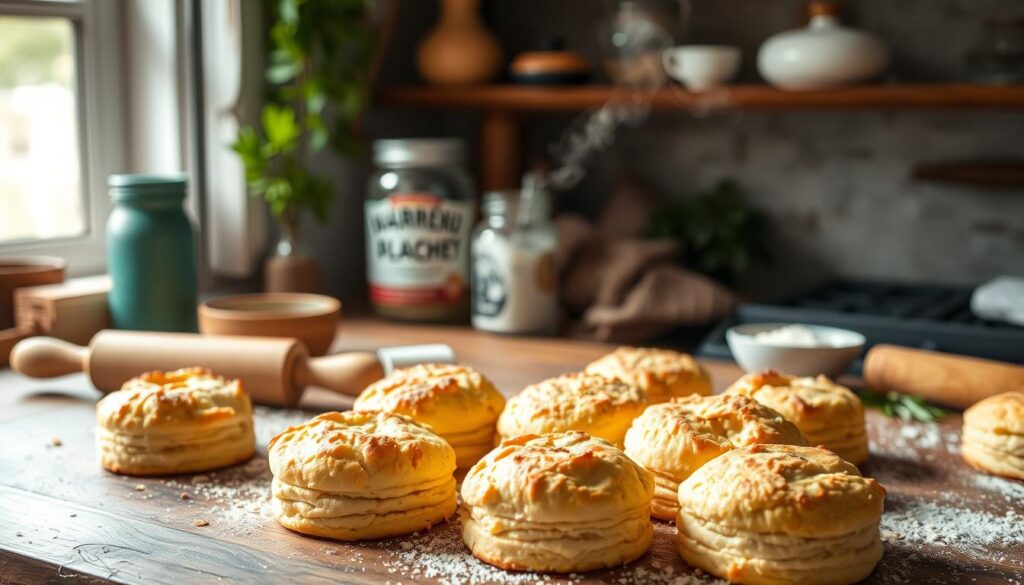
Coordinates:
[515,275]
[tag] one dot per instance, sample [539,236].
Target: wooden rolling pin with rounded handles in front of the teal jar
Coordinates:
[275,370]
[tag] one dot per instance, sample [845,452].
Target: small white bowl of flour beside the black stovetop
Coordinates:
[832,360]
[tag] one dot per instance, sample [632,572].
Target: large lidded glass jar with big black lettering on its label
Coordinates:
[419,214]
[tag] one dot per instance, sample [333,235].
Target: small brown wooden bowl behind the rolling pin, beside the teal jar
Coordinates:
[311,318]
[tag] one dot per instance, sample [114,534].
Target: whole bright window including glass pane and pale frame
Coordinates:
[61,127]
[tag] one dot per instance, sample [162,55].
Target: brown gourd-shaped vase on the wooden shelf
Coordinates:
[460,51]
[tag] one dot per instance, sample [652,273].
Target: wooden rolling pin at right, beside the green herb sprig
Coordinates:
[956,382]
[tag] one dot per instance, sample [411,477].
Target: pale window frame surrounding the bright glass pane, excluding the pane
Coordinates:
[102,136]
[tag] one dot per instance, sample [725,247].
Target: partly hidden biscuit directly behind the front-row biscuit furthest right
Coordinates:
[674,440]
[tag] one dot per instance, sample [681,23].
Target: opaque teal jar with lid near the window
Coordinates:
[151,255]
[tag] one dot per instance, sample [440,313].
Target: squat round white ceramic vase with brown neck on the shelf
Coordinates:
[823,55]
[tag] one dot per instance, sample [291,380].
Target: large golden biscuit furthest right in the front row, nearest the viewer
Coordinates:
[778,514]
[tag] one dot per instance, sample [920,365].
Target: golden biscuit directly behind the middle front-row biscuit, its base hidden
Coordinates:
[595,405]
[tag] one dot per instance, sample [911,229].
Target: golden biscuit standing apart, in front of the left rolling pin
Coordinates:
[175,423]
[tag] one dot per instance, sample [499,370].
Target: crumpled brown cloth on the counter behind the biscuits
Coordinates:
[626,288]
